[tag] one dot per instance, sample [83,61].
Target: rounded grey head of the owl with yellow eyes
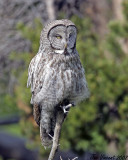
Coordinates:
[59,36]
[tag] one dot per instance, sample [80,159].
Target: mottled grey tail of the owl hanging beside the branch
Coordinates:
[47,125]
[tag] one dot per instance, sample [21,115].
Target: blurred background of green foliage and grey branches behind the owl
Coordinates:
[98,125]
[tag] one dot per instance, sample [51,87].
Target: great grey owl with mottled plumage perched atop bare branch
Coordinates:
[56,76]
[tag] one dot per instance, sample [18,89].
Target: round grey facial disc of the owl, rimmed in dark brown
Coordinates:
[62,39]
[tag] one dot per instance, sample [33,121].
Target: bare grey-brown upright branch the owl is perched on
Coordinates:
[59,121]
